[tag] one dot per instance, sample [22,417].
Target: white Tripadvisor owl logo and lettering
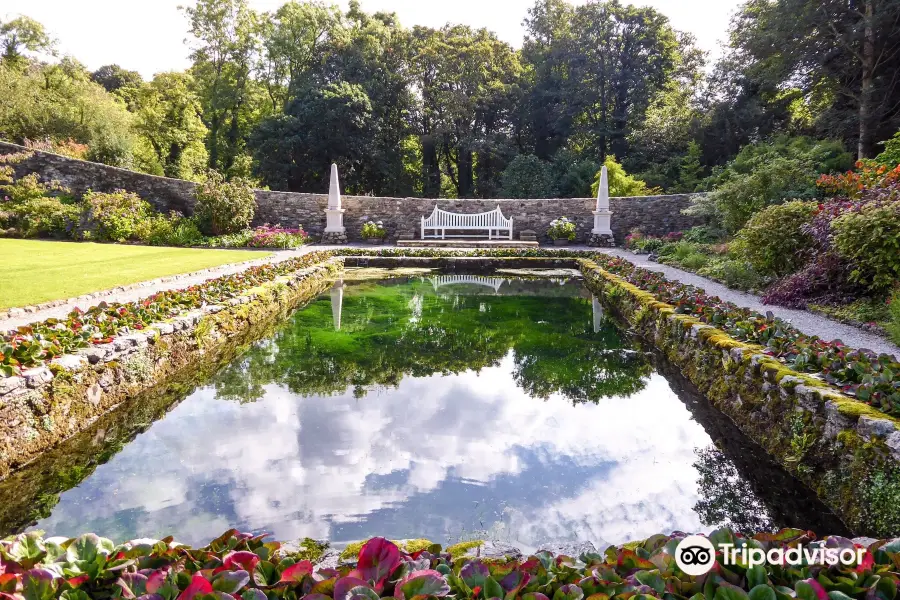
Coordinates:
[696,555]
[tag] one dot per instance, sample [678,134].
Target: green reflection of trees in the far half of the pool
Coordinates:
[396,328]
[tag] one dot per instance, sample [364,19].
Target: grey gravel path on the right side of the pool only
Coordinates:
[805,321]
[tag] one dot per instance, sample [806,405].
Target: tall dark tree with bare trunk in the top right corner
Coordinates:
[841,55]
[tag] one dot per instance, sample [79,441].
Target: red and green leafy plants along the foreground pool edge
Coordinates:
[239,566]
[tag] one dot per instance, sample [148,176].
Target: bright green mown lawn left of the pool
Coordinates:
[34,271]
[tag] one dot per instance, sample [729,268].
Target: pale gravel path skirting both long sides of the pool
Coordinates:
[803,320]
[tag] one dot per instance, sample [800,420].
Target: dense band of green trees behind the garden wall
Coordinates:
[455,111]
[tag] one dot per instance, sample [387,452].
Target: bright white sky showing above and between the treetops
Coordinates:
[148,35]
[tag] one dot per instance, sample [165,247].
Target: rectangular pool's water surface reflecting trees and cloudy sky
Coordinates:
[441,406]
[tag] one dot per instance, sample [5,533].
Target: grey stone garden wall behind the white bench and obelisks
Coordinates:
[654,215]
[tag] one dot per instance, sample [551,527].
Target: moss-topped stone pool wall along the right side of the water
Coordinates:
[845,450]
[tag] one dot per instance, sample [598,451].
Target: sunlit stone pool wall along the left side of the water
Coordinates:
[48,404]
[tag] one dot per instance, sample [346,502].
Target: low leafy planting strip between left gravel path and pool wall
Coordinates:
[37,343]
